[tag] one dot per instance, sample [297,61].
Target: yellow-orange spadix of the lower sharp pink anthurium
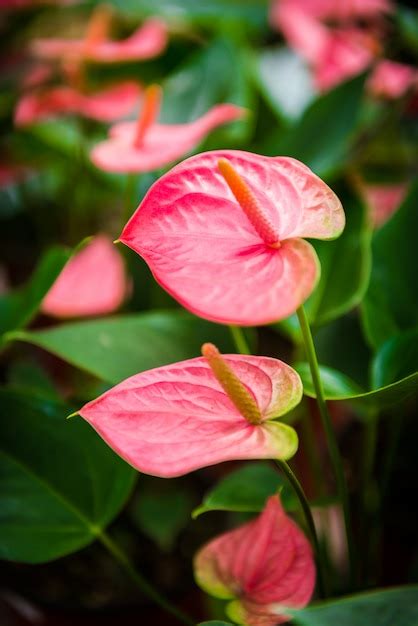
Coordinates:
[237,392]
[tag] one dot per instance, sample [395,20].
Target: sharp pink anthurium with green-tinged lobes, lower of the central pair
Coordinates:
[174,419]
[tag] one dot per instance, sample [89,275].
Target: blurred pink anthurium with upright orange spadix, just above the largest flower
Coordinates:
[144,145]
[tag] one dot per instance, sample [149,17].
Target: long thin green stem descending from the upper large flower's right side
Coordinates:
[334,452]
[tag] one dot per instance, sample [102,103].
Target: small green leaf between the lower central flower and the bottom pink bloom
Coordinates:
[246,490]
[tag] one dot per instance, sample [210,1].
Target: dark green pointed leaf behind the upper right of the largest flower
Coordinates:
[322,138]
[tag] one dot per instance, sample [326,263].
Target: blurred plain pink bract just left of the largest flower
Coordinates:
[93,282]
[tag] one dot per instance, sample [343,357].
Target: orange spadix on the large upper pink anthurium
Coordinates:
[249,204]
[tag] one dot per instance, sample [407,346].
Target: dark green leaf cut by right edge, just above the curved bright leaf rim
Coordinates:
[396,359]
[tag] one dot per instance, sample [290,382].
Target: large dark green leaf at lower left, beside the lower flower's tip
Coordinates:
[61,484]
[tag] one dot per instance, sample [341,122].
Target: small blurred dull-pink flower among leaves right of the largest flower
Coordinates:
[383,199]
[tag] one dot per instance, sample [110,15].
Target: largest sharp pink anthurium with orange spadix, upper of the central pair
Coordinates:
[222,233]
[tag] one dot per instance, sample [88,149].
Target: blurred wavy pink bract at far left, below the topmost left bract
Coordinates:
[104,106]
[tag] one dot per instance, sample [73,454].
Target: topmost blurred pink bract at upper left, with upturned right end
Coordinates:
[146,42]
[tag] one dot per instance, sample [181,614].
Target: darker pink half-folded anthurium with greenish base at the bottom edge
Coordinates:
[265,566]
